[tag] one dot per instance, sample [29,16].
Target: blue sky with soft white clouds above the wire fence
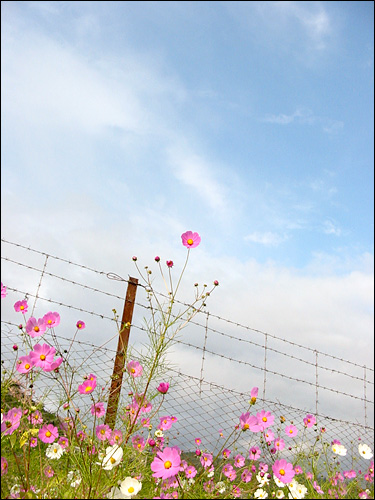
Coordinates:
[125,124]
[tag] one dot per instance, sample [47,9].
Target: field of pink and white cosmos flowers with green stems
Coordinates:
[73,453]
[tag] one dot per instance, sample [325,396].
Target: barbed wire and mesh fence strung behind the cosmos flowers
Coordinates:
[203,404]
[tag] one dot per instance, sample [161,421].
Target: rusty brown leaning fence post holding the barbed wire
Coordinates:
[124,333]
